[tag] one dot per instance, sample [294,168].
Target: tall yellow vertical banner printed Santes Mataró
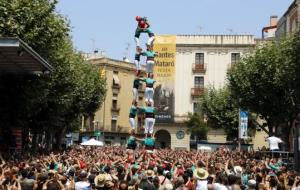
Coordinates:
[164,74]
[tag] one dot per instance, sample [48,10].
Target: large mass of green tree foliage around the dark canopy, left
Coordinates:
[51,103]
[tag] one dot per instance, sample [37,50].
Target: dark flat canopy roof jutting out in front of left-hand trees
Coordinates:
[18,57]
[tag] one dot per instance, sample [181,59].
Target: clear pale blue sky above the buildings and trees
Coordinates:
[110,24]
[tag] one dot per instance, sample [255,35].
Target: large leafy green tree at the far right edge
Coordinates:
[267,82]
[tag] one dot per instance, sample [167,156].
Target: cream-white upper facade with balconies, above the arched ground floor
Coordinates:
[202,61]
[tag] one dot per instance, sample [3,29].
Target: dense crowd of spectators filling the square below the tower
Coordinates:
[88,168]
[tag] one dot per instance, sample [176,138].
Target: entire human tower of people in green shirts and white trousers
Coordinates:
[148,111]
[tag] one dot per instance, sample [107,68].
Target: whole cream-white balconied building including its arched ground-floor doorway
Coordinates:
[200,61]
